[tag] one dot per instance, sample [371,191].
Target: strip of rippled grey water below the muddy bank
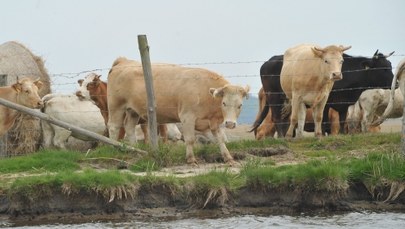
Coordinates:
[356,220]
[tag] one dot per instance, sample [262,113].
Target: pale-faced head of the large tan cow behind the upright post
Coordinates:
[231,102]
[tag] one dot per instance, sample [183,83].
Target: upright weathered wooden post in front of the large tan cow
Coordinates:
[147,73]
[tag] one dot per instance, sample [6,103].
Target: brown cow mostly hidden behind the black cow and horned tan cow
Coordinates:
[268,129]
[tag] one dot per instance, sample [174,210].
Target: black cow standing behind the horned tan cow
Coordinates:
[359,74]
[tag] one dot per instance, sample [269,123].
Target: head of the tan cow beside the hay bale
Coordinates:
[27,92]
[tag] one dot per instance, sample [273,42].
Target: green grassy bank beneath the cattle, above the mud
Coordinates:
[328,166]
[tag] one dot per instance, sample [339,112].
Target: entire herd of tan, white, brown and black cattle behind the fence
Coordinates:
[309,88]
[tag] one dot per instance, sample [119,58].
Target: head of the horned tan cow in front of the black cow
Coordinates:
[331,60]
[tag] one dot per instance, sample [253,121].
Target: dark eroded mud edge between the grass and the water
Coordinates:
[160,204]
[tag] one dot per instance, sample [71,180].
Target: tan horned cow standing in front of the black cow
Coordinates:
[307,77]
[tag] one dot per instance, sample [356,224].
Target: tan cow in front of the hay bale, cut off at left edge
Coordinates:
[24,92]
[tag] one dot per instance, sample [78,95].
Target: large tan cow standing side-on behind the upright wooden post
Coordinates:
[200,99]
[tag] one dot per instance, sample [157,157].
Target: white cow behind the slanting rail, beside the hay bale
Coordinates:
[70,109]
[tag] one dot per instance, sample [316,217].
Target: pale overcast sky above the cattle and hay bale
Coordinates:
[231,37]
